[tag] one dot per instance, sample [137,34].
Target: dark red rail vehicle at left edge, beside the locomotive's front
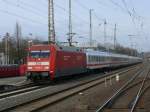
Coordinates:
[12,70]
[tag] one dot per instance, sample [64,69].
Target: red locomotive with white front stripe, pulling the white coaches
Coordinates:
[52,61]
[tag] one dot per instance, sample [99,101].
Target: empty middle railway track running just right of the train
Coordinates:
[40,103]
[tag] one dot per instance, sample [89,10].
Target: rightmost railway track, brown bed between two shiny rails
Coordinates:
[127,97]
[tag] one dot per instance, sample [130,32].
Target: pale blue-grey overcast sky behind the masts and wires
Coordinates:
[131,16]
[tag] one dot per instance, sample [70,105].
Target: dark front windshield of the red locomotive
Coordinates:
[39,54]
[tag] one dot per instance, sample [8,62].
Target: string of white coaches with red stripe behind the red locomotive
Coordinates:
[99,59]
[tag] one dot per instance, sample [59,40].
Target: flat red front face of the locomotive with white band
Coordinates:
[38,61]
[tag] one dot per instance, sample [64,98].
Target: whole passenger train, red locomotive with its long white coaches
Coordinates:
[54,61]
